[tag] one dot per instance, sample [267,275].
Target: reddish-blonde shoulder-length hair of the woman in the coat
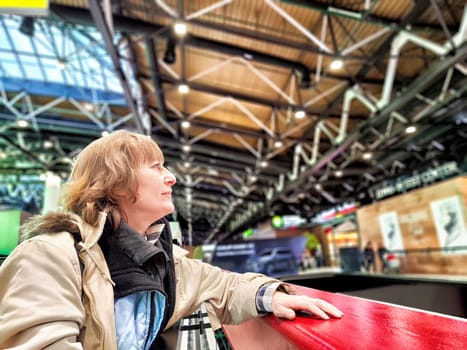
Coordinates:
[103,171]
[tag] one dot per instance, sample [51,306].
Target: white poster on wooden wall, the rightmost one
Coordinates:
[449,222]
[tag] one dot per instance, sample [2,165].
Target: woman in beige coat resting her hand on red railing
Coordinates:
[129,283]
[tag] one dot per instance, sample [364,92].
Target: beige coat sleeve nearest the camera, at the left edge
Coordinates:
[40,297]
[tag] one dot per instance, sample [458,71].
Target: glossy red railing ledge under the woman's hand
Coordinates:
[367,324]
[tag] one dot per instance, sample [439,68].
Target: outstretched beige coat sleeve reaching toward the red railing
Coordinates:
[232,296]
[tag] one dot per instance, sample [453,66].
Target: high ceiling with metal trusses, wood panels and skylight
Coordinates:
[249,66]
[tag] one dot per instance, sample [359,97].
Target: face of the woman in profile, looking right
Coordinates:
[153,195]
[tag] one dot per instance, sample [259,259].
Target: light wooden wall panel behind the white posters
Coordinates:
[417,226]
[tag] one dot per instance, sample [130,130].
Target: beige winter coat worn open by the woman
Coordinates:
[46,301]
